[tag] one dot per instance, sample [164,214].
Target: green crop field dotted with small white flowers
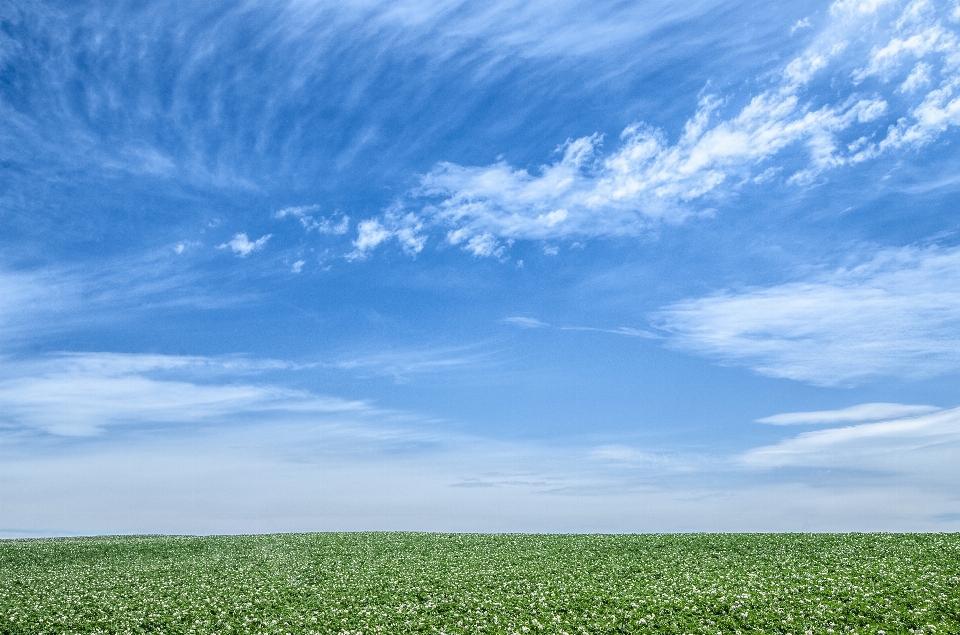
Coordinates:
[475,583]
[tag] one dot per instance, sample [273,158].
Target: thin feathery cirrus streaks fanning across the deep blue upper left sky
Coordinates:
[165,115]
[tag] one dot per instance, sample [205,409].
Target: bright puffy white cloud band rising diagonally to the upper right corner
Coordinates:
[898,68]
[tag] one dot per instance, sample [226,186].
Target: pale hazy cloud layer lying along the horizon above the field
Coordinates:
[348,475]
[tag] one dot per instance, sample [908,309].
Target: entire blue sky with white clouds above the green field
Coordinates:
[437,265]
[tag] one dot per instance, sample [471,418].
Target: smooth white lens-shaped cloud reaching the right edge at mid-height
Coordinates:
[896,314]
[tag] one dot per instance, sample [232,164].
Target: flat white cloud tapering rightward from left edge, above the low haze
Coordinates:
[81,395]
